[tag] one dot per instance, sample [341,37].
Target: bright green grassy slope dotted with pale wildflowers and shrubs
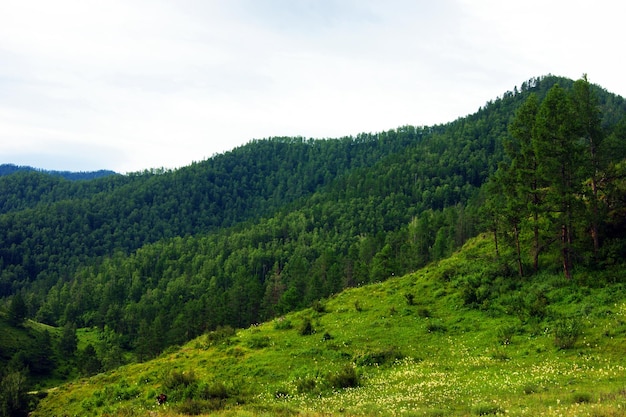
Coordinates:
[459,338]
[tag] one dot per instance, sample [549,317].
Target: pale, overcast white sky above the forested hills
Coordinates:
[130,85]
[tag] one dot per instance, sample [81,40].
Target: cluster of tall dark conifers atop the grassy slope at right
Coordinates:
[560,193]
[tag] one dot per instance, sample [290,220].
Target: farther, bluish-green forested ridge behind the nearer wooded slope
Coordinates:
[50,226]
